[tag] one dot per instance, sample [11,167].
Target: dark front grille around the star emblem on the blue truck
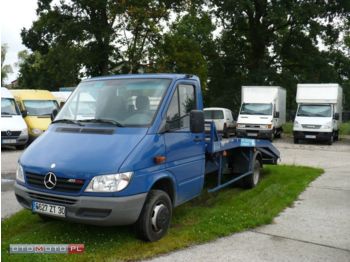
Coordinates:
[62,185]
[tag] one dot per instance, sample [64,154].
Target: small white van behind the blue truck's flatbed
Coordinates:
[223,119]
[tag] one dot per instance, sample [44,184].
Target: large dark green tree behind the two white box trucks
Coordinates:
[275,42]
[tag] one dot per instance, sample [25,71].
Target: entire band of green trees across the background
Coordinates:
[226,43]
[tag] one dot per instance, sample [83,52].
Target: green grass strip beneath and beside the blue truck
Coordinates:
[206,218]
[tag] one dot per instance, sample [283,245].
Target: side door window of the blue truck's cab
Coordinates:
[182,103]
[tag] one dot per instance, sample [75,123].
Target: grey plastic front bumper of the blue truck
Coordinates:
[101,211]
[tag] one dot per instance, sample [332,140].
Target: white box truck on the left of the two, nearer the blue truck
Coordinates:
[262,113]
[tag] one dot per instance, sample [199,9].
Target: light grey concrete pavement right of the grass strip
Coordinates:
[317,228]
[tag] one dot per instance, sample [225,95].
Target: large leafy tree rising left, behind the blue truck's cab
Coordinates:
[106,36]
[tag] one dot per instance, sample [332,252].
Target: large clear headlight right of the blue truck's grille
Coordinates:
[109,183]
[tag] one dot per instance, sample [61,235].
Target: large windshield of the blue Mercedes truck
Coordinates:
[129,102]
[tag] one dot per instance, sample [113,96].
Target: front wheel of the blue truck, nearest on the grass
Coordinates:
[155,216]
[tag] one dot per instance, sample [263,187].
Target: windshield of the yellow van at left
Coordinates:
[40,107]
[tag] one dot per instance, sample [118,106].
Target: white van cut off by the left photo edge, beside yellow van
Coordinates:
[14,130]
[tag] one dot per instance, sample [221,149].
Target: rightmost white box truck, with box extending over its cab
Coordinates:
[319,112]
